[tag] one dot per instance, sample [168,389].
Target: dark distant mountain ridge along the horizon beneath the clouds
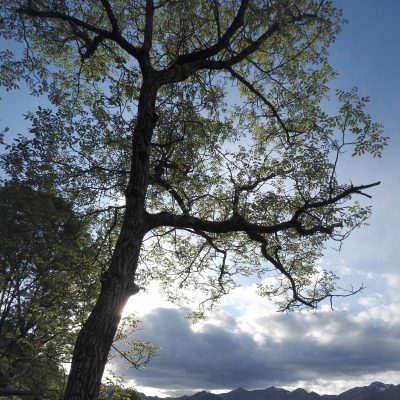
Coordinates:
[375,391]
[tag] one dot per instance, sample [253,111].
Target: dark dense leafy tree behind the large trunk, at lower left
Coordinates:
[47,287]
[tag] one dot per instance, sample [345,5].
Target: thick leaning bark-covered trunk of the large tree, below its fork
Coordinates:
[117,283]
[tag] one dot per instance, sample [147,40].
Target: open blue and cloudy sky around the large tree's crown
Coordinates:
[245,341]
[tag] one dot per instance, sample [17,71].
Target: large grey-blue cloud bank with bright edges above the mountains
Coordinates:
[285,349]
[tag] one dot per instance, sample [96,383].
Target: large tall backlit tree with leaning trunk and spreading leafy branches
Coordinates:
[194,132]
